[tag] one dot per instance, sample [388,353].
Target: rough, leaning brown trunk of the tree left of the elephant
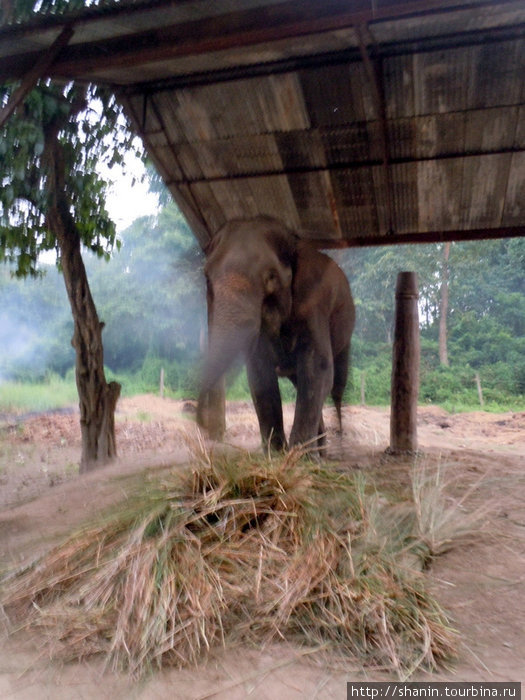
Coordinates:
[98,399]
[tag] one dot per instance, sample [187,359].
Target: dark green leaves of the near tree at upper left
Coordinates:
[91,131]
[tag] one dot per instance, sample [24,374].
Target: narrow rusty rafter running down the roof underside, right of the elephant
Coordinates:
[373,70]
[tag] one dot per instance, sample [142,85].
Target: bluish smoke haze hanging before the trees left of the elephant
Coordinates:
[150,296]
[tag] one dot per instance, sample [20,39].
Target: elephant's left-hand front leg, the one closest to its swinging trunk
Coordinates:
[264,388]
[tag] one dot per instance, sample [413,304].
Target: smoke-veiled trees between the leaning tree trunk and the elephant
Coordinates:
[152,299]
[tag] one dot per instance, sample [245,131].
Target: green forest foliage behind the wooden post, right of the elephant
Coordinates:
[486,326]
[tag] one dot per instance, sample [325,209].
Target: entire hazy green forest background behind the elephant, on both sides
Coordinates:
[150,295]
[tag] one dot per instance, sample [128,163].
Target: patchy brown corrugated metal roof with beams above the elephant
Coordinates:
[356,121]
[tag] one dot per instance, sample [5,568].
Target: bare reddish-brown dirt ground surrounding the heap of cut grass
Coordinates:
[482,585]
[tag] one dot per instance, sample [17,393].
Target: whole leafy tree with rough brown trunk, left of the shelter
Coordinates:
[51,197]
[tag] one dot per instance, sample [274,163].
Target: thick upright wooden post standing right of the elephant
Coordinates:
[405,366]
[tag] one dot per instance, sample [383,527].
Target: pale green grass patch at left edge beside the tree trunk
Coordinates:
[18,397]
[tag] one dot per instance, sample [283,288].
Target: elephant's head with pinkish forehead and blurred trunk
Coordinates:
[249,272]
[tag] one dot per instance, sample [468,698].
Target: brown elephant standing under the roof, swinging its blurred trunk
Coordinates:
[287,308]
